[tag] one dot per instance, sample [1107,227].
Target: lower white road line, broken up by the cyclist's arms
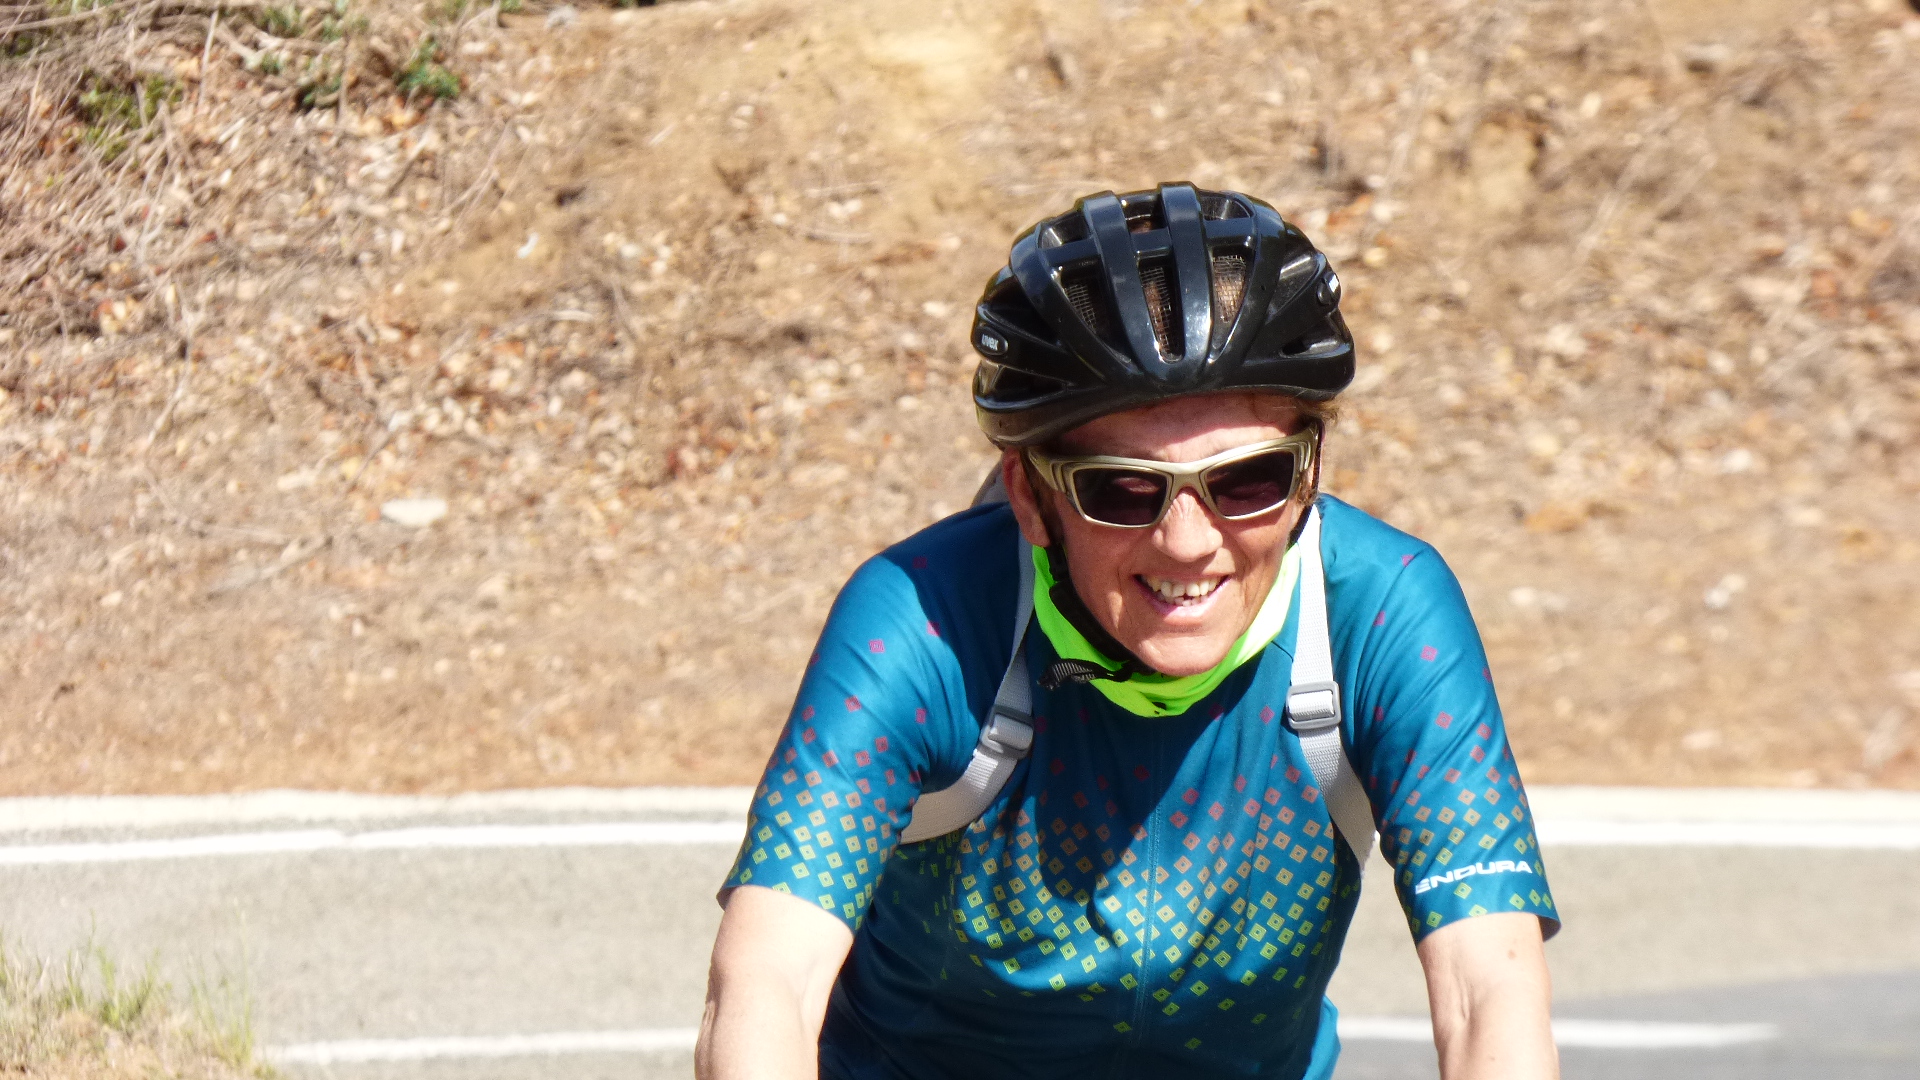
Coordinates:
[1585,1035]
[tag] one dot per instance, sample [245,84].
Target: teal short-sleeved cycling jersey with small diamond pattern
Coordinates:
[1149,896]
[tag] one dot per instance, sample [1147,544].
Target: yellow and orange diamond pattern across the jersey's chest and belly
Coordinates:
[1245,896]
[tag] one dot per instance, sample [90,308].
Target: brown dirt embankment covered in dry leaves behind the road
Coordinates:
[669,308]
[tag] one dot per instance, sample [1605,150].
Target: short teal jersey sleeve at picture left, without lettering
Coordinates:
[873,714]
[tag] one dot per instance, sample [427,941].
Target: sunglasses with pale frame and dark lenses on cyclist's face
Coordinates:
[1132,493]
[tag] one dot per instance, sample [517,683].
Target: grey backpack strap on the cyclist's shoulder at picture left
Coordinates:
[1005,739]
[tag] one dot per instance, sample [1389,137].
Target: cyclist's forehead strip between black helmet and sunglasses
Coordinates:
[1186,430]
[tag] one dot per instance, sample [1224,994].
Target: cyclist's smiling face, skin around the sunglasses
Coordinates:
[1180,593]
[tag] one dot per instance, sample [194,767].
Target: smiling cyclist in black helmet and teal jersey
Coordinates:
[1136,847]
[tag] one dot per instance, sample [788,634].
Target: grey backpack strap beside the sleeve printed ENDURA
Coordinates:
[1314,704]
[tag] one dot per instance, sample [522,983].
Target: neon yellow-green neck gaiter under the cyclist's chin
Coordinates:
[1163,695]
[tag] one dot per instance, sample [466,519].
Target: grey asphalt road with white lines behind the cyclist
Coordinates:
[370,920]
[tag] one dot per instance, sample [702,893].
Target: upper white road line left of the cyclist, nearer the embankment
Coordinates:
[308,841]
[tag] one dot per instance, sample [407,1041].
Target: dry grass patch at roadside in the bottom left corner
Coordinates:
[89,1019]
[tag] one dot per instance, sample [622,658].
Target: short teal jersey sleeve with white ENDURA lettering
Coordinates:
[1452,812]
